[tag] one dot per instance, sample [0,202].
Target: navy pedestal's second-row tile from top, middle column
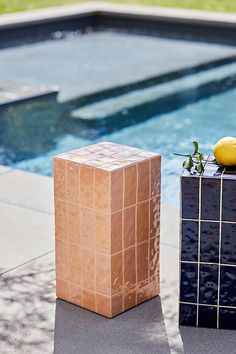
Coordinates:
[209,242]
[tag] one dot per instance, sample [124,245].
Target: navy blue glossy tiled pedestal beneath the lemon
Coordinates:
[208,248]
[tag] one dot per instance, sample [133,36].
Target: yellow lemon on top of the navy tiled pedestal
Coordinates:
[225,151]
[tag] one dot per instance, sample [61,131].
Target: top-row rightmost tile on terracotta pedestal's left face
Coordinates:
[102,190]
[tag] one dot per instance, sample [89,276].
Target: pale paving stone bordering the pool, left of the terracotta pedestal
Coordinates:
[27,190]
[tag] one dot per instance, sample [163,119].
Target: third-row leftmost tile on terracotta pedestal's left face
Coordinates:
[61,259]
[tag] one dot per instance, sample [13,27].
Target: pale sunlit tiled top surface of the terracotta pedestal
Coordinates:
[108,156]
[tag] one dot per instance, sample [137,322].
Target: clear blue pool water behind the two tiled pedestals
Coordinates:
[164,117]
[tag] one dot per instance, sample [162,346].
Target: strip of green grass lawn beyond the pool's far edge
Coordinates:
[7,6]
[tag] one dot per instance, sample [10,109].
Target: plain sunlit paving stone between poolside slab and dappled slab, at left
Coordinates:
[24,235]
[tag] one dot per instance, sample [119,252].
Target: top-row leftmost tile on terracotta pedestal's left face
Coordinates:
[60,178]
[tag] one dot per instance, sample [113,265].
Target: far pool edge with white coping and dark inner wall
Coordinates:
[40,24]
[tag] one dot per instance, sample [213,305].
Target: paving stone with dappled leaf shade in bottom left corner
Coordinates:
[27,302]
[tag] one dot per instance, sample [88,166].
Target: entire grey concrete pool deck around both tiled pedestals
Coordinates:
[33,321]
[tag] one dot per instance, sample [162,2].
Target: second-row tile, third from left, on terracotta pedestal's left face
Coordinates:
[87,228]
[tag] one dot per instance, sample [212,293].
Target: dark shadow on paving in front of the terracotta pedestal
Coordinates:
[139,330]
